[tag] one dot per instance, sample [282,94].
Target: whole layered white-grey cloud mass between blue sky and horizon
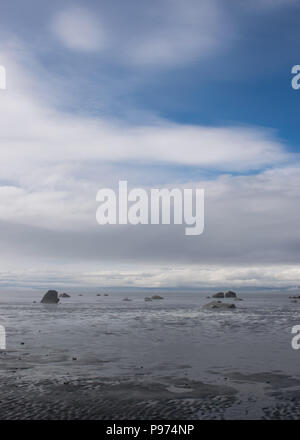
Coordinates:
[252,221]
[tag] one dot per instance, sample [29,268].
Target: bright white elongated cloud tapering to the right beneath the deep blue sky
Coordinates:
[46,135]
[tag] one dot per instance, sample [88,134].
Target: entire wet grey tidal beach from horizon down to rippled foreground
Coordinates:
[99,357]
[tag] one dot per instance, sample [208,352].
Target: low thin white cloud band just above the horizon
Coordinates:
[198,276]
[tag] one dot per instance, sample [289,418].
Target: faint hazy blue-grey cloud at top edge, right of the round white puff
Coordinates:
[177,33]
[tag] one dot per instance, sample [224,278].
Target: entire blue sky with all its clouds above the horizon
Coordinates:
[193,94]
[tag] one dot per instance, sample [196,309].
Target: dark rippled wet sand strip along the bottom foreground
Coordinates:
[166,398]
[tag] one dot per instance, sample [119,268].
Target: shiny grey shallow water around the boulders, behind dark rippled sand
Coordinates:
[91,338]
